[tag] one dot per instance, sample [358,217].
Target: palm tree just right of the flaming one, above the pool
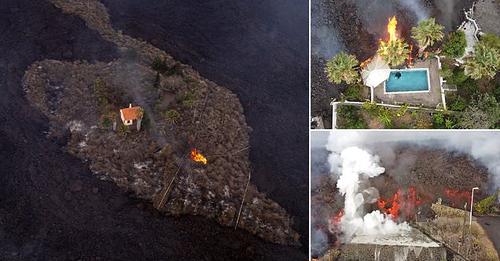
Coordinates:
[427,33]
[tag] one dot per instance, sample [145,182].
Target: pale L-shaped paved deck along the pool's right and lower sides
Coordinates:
[427,99]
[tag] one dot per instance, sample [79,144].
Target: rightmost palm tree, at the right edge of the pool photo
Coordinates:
[485,63]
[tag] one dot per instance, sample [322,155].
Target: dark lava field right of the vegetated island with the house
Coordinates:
[259,51]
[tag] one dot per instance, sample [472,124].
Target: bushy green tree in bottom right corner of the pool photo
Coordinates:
[482,113]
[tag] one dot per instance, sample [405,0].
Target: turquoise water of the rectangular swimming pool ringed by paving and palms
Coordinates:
[409,81]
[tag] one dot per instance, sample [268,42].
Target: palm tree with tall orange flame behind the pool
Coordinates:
[395,50]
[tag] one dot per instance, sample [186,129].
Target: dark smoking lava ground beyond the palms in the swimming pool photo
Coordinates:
[356,27]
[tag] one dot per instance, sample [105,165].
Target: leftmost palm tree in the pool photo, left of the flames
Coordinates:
[341,67]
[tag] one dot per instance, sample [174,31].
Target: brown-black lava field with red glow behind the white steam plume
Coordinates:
[432,171]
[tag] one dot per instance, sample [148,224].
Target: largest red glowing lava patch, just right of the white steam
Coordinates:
[401,203]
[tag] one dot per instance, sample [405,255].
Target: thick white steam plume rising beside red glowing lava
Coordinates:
[357,164]
